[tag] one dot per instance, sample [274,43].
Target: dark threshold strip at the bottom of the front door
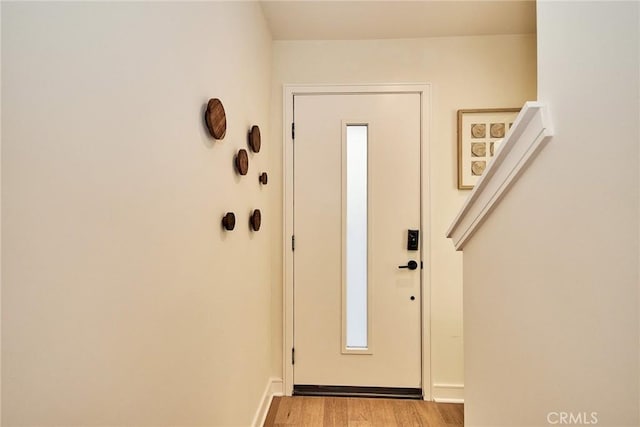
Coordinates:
[355,391]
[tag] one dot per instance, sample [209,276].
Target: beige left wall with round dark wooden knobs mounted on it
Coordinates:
[123,301]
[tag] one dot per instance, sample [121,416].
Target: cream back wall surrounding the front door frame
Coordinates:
[465,72]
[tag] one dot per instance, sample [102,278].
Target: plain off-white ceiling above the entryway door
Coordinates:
[374,19]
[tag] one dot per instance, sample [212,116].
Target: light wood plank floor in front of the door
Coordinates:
[350,411]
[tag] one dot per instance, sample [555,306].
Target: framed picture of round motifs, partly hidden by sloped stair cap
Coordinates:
[480,133]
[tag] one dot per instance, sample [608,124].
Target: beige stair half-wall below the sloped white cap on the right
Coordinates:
[551,278]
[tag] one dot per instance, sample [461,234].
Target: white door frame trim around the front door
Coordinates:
[424,89]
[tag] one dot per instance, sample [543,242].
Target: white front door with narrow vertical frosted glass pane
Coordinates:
[357,312]
